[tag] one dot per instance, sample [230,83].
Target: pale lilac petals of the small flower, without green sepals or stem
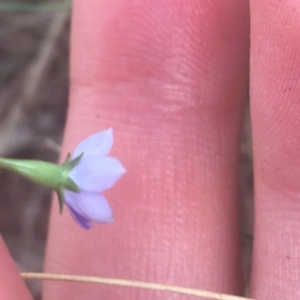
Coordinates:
[94,173]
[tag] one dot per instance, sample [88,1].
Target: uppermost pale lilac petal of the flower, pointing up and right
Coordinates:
[99,143]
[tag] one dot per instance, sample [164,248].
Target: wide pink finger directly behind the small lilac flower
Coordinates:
[170,78]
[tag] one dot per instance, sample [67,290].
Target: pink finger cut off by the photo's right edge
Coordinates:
[275,108]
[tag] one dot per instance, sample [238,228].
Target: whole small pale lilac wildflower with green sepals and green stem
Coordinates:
[80,180]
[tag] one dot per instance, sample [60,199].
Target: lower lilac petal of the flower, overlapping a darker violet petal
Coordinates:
[89,206]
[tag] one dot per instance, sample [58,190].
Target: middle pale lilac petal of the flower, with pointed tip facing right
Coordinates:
[96,174]
